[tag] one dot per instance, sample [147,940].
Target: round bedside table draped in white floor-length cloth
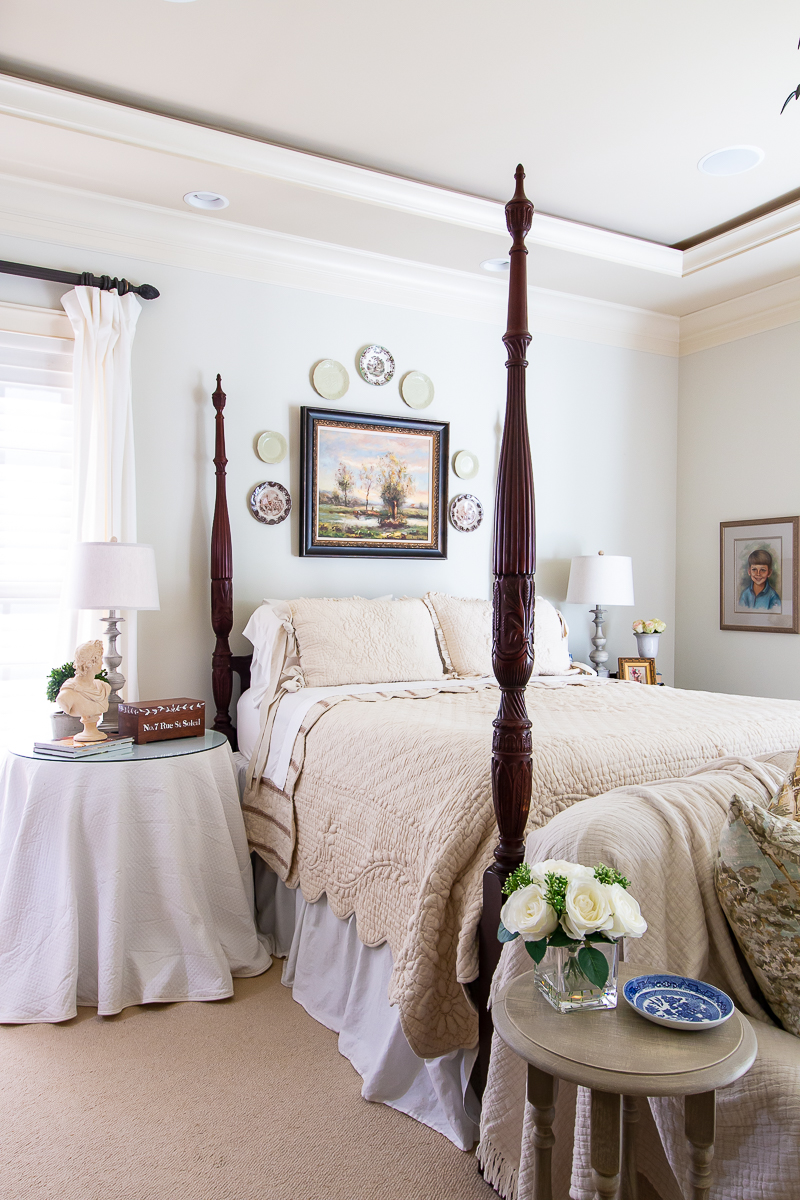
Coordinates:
[123,881]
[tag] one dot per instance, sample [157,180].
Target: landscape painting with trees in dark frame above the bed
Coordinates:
[372,487]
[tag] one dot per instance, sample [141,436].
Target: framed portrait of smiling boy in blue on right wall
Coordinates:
[759,575]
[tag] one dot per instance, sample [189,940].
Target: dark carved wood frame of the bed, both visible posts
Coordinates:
[515,561]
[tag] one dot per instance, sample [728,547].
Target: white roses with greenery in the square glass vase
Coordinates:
[564,904]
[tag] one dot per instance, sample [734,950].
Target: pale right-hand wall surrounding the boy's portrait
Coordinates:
[739,431]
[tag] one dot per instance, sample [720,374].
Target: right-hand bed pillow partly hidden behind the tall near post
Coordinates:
[465,633]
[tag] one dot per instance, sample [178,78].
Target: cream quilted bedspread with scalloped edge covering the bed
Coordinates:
[388,811]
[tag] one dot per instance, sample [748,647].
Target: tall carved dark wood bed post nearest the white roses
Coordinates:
[513,635]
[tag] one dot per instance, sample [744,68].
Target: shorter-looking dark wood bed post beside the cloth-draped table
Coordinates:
[224,663]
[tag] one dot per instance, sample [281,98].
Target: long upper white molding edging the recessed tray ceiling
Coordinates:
[167,135]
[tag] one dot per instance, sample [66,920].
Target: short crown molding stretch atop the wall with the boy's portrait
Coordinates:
[733,320]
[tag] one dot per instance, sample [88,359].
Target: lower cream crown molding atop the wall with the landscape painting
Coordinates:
[87,221]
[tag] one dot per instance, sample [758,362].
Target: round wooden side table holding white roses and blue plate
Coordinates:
[619,1057]
